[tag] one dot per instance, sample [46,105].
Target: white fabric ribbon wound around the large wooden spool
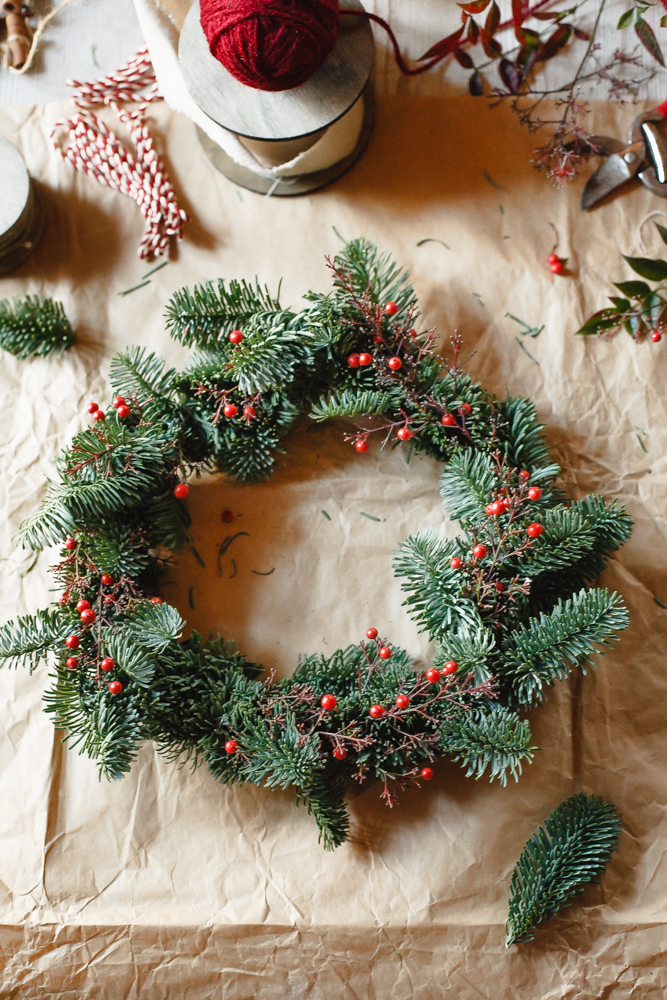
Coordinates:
[162,40]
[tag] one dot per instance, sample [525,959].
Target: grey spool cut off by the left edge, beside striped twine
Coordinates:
[20,216]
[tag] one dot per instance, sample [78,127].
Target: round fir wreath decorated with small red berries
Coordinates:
[506,601]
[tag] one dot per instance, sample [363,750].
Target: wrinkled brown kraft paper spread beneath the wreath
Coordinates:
[168,885]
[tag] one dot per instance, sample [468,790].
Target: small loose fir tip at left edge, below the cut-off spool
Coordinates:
[34,328]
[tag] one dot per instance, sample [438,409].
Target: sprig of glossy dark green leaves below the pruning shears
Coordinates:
[640,308]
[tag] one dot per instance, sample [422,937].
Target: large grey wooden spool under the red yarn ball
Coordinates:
[294,118]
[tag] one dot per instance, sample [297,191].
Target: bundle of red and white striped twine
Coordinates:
[94,149]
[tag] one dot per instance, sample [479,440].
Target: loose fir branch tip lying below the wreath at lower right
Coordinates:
[571,849]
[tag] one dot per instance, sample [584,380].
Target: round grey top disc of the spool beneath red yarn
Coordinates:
[286,114]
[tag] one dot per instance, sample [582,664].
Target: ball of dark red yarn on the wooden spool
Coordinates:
[271,44]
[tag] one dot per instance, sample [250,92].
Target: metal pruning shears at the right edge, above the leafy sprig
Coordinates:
[644,156]
